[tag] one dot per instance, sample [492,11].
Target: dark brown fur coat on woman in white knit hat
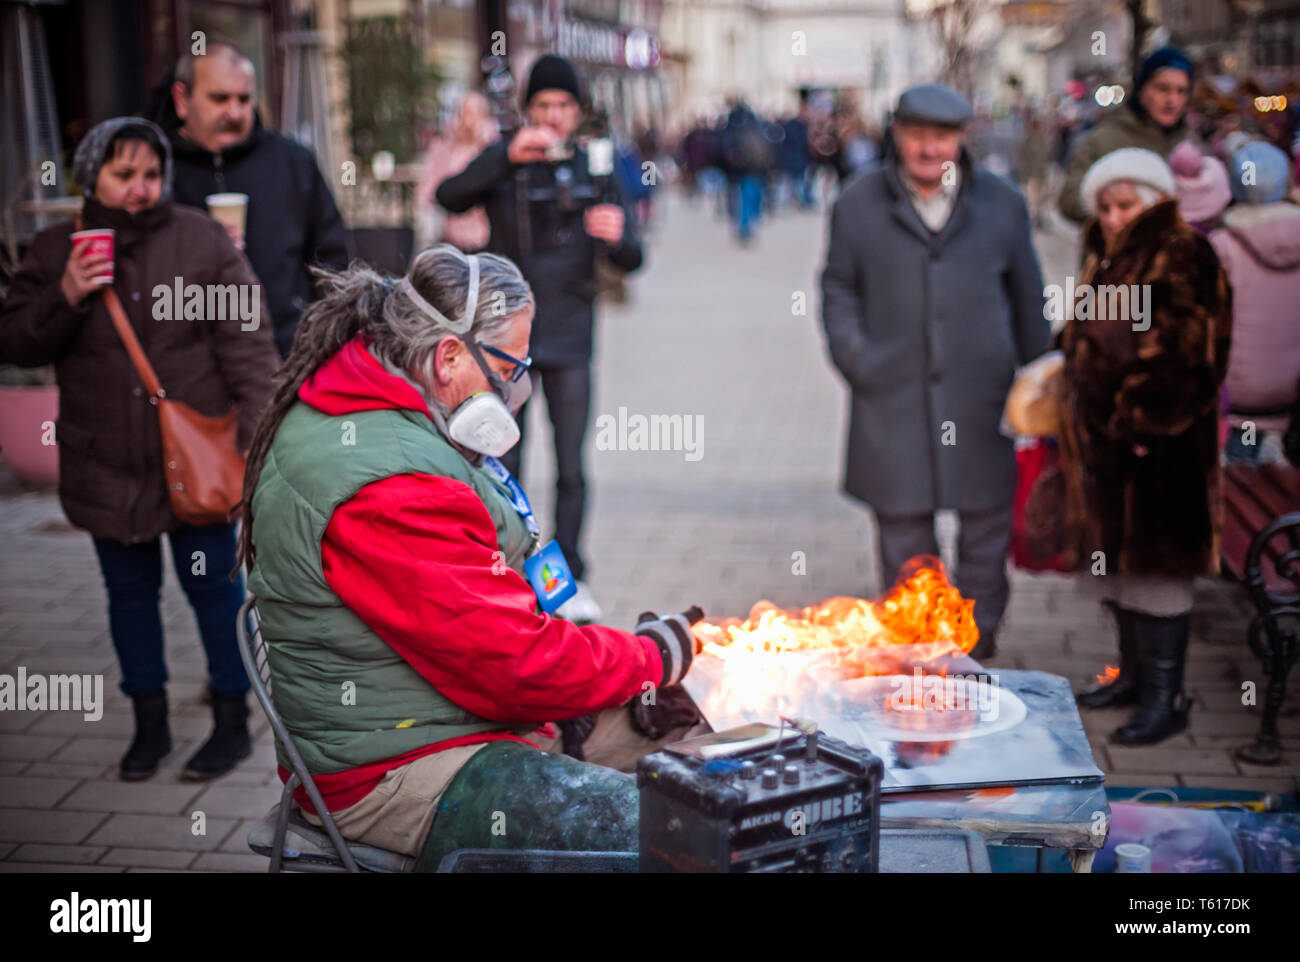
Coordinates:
[1154,391]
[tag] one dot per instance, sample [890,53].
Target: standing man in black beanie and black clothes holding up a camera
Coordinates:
[552,214]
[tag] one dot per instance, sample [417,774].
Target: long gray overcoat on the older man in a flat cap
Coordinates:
[929,331]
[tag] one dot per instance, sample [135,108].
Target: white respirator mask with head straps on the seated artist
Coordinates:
[486,421]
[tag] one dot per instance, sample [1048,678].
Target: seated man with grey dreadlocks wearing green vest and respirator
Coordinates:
[387,549]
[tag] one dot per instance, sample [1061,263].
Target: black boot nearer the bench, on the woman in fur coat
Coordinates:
[1163,708]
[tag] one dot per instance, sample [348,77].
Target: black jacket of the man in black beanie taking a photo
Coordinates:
[560,261]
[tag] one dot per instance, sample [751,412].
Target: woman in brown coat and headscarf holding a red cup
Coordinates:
[111,474]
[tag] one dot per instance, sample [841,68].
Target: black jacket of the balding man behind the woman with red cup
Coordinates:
[293,220]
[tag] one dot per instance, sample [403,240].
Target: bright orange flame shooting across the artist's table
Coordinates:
[924,612]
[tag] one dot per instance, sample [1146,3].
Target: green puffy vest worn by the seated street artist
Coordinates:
[344,694]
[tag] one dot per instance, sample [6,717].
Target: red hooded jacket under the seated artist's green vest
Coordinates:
[500,658]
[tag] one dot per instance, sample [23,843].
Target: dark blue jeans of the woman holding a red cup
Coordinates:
[133,575]
